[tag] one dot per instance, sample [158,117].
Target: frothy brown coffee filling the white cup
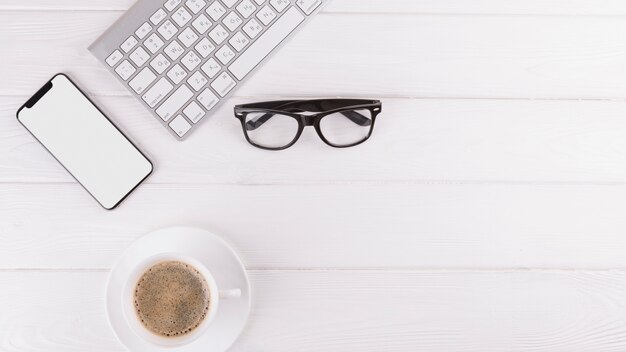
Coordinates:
[171,298]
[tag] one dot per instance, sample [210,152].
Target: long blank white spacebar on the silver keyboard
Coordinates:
[266,43]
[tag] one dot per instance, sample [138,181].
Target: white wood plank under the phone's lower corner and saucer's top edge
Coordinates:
[341,226]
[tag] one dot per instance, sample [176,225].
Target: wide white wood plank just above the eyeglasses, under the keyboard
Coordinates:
[473,56]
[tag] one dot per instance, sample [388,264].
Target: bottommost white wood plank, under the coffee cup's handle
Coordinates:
[351,311]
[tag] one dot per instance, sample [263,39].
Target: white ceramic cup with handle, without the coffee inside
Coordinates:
[133,320]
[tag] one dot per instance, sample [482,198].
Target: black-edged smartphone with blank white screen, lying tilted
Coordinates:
[83,139]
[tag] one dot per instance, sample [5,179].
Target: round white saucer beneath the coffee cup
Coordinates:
[215,255]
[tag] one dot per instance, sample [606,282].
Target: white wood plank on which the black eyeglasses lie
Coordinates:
[414,141]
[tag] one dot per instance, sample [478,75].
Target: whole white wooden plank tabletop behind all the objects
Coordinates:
[486,214]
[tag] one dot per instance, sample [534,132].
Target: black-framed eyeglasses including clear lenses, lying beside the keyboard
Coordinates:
[277,125]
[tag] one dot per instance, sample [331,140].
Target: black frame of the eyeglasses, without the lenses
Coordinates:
[308,113]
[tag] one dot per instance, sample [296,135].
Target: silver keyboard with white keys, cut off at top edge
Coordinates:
[183,58]
